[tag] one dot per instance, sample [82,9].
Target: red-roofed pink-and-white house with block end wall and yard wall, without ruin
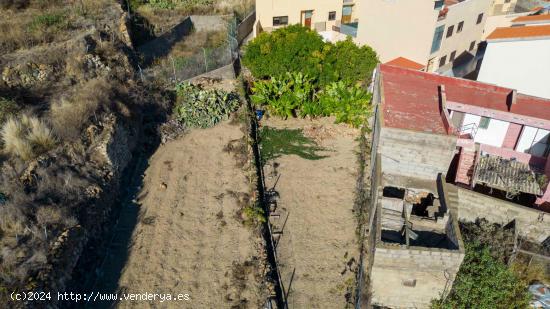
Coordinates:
[492,143]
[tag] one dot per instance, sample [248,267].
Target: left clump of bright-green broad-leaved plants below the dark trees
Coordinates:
[284,95]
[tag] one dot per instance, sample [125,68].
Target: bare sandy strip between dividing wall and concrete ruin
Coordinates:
[318,240]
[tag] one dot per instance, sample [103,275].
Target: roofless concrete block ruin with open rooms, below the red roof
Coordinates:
[415,247]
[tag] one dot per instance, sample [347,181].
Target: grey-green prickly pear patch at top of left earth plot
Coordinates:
[201,108]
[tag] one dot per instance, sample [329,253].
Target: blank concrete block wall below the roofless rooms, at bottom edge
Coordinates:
[432,271]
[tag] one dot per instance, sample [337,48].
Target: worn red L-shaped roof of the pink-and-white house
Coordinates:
[411,99]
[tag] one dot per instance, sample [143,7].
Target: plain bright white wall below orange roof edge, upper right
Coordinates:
[522,64]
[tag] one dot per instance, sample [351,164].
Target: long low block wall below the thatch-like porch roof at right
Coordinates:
[531,223]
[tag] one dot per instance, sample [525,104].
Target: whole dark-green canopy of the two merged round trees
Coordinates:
[298,49]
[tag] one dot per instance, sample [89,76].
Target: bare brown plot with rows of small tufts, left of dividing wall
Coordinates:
[189,235]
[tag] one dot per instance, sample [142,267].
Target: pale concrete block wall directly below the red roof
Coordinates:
[415,154]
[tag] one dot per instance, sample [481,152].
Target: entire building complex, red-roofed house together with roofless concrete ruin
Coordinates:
[447,149]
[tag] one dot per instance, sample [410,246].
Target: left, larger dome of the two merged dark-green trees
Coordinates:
[290,49]
